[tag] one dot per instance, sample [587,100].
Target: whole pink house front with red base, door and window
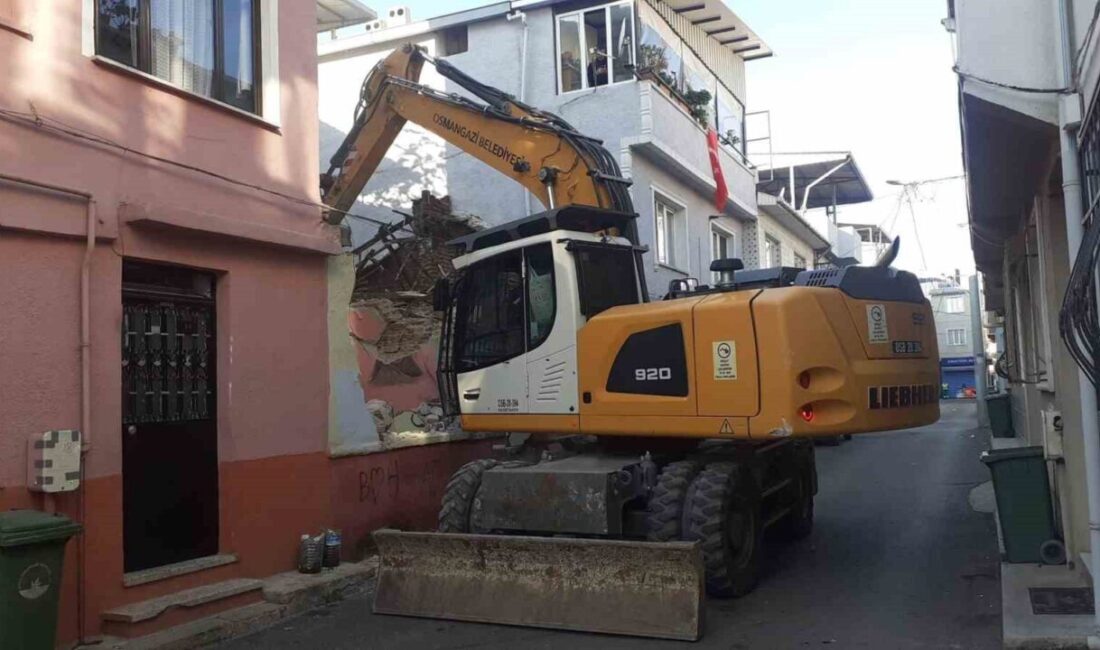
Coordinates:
[185,136]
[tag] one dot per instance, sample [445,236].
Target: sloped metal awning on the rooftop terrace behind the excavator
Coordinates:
[843,188]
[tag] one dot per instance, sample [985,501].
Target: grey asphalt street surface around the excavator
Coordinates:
[898,559]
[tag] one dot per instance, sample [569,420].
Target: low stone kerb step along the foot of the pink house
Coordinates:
[287,596]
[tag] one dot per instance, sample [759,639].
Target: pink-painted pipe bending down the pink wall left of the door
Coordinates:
[85,377]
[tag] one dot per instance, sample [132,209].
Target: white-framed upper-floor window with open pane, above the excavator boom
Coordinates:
[596,47]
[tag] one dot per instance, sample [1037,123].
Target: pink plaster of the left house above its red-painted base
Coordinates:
[273,380]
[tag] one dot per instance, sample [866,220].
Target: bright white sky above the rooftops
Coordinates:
[873,78]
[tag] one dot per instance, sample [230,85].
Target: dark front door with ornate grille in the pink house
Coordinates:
[170,436]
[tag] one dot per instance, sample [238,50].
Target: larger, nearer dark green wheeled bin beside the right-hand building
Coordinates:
[1024,502]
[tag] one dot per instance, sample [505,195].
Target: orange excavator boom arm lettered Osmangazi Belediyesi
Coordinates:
[537,150]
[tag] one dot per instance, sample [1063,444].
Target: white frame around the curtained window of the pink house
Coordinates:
[270,83]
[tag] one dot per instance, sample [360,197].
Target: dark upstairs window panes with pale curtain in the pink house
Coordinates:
[208,48]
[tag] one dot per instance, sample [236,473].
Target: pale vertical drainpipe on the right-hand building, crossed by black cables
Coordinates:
[1075,232]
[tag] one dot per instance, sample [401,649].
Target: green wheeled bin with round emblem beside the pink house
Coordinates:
[32,547]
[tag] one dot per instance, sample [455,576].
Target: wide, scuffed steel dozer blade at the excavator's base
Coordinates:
[612,587]
